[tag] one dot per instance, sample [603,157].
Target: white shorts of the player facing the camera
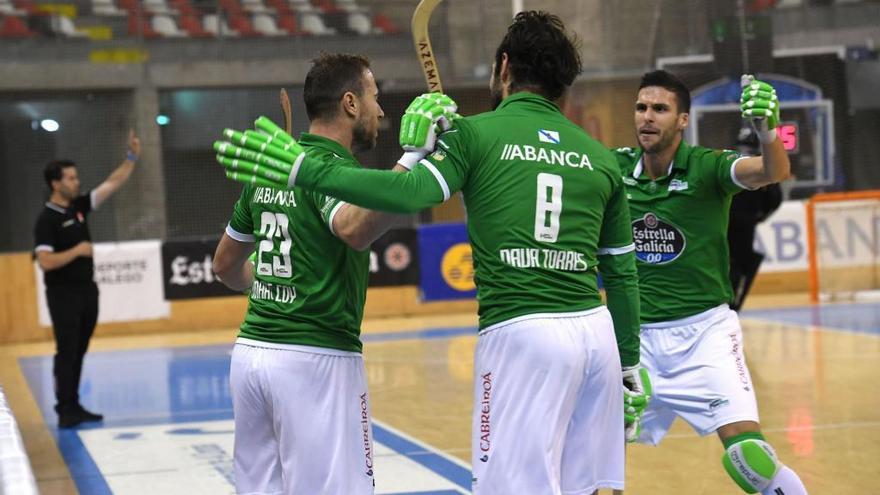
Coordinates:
[699,372]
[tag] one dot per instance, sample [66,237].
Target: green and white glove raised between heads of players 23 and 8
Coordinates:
[427,115]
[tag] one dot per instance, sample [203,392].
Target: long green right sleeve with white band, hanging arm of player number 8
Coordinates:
[617,265]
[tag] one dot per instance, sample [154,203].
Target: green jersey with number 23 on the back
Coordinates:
[309,286]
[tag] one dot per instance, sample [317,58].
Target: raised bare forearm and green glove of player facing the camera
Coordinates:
[760,106]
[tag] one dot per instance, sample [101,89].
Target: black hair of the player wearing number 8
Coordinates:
[540,54]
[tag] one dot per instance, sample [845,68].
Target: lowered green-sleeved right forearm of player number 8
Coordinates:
[620,279]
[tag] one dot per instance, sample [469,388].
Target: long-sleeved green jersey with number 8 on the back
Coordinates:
[545,204]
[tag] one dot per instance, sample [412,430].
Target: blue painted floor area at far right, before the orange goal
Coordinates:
[856,317]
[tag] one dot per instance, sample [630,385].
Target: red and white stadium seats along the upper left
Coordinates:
[195,18]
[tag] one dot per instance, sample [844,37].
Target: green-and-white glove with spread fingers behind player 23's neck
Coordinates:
[269,158]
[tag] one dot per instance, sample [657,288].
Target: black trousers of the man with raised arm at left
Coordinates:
[74,312]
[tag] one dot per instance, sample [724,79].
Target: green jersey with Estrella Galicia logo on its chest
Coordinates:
[679,225]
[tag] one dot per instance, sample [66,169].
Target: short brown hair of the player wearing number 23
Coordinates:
[331,76]
